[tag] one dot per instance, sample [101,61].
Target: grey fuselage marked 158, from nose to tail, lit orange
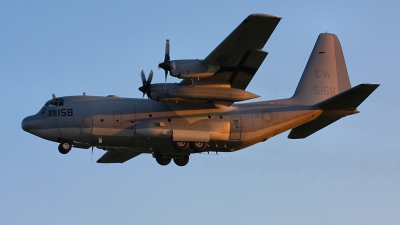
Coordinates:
[151,126]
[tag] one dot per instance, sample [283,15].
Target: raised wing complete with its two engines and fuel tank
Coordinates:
[225,73]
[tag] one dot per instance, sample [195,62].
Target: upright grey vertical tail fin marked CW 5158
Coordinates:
[325,74]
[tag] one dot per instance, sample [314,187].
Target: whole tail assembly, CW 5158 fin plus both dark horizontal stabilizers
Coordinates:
[325,84]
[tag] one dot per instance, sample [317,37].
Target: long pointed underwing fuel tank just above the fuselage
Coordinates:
[212,94]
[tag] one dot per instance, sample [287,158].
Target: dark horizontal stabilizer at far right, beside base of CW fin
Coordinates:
[349,99]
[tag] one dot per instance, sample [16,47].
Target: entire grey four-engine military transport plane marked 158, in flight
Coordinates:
[198,114]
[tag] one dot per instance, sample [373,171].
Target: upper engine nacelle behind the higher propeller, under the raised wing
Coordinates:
[192,68]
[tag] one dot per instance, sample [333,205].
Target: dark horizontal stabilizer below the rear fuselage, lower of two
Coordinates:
[311,127]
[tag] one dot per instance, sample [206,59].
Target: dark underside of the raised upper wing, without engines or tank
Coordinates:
[240,55]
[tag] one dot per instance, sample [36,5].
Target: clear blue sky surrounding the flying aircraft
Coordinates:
[347,173]
